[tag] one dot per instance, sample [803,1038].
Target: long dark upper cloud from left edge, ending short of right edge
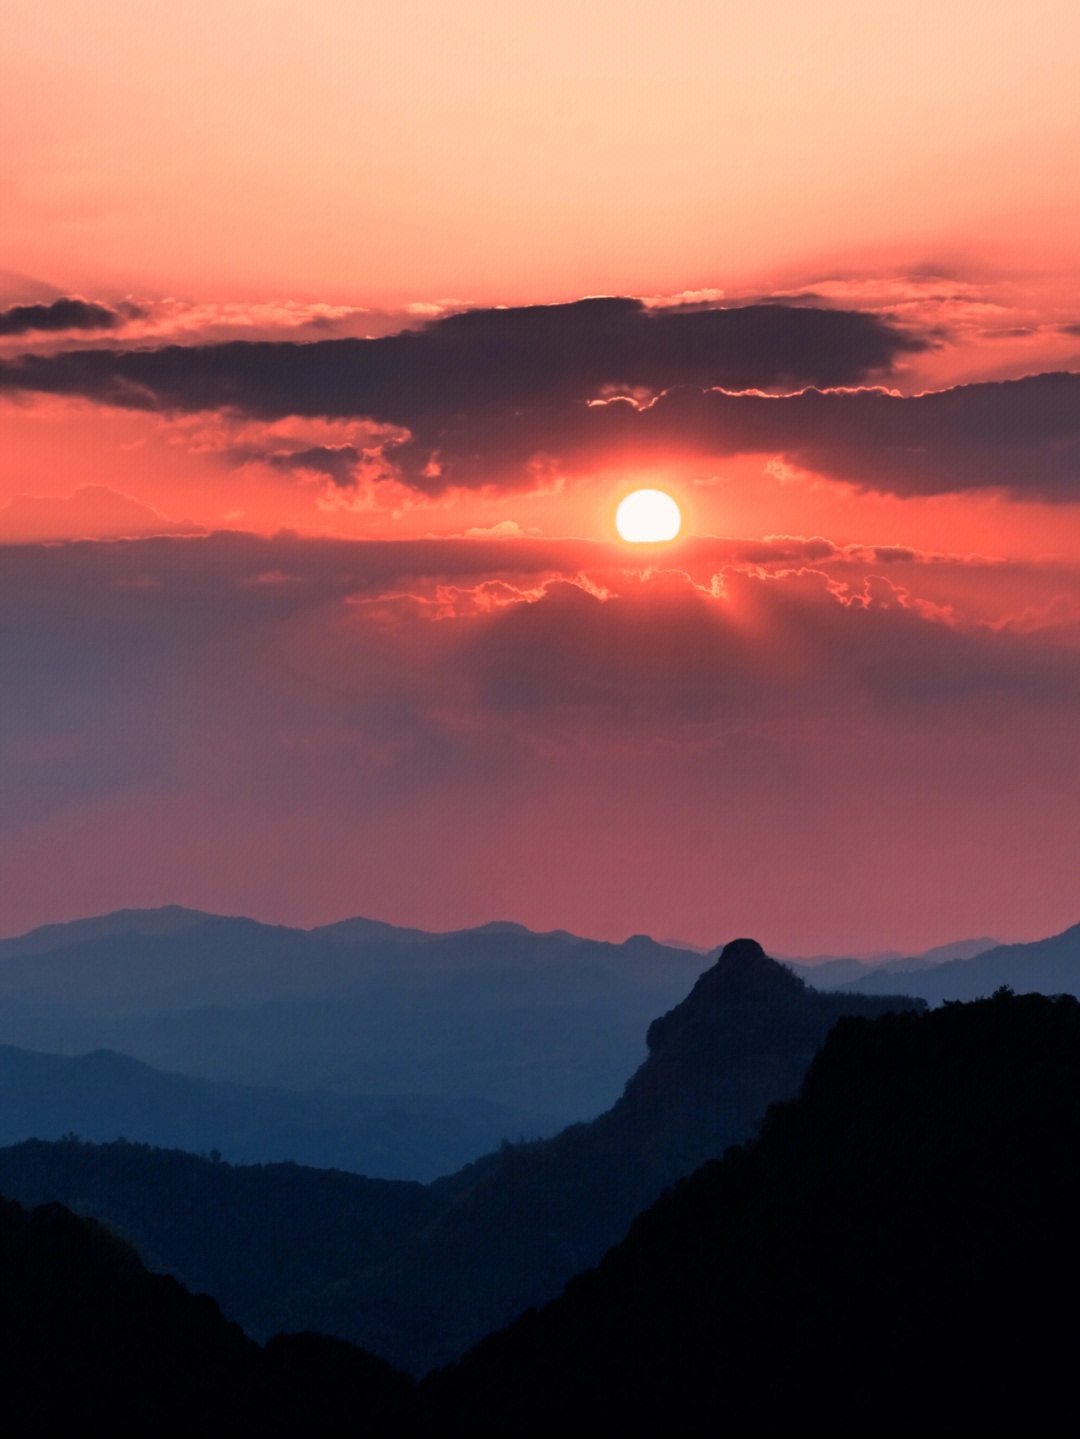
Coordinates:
[484,394]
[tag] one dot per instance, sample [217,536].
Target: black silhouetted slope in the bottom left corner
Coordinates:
[93,1343]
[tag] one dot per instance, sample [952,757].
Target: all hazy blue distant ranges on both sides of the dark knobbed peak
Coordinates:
[393,1053]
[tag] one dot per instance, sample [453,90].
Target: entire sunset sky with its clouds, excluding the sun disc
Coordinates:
[331,339]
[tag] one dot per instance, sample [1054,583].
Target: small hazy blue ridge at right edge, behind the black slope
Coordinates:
[1045,966]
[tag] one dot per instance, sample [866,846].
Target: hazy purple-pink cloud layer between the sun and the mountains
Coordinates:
[784,737]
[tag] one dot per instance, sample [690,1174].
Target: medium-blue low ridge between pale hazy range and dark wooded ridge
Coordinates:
[104,1096]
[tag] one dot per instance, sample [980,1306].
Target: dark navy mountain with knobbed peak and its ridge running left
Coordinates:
[419,1274]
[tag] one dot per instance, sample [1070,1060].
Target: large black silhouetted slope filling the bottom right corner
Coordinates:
[898,1253]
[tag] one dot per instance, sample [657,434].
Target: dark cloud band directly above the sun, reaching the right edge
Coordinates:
[1022,437]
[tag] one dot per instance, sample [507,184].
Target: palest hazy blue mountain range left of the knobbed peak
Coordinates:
[495,1014]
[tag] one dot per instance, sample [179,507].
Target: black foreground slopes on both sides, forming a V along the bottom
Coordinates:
[895,1253]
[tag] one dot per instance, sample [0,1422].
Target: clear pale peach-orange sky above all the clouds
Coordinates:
[523,152]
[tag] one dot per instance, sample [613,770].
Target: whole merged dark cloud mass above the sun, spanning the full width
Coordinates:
[516,399]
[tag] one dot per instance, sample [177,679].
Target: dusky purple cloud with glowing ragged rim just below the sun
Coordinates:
[764,653]
